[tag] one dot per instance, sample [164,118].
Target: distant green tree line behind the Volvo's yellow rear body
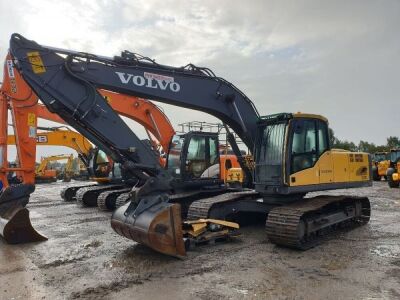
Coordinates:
[363,146]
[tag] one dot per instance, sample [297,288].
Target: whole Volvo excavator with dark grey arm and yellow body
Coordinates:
[291,151]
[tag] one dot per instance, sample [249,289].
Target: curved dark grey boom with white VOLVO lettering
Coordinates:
[190,86]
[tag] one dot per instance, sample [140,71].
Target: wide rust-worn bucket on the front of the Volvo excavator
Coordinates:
[158,227]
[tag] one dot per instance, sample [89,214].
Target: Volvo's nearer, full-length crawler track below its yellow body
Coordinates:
[305,224]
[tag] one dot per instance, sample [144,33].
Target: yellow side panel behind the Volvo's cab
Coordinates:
[334,166]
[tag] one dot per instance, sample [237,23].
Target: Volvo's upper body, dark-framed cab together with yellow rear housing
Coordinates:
[293,156]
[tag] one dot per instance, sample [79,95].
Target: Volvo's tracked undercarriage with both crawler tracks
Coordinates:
[301,225]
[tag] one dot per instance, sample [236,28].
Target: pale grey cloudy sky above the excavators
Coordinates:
[336,58]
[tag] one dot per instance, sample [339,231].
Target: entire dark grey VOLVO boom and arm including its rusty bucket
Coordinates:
[67,84]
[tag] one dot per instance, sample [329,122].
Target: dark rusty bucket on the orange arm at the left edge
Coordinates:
[15,225]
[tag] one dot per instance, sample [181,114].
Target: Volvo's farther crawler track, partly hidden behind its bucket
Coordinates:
[201,209]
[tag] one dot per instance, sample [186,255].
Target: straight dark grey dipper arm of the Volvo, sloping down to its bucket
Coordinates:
[82,107]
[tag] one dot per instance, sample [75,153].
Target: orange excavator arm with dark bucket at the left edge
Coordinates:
[18,98]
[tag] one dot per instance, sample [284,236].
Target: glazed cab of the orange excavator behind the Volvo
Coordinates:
[194,157]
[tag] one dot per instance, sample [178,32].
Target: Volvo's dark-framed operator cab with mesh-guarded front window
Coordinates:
[286,146]
